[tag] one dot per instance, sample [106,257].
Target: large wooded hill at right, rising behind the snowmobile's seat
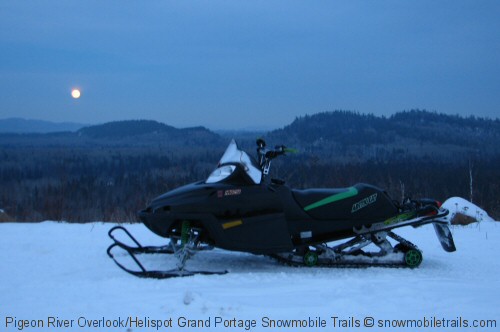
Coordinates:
[350,136]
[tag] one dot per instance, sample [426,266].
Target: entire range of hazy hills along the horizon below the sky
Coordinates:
[340,136]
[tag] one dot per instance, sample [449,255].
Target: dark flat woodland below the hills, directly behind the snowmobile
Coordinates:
[113,184]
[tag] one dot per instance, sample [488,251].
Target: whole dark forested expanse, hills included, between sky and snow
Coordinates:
[109,172]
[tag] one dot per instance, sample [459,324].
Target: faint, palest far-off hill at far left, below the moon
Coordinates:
[19,125]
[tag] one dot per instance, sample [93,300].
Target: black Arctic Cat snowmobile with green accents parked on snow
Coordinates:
[239,208]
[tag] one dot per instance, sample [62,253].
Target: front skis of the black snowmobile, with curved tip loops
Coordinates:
[139,249]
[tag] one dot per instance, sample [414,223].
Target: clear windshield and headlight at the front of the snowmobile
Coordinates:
[228,164]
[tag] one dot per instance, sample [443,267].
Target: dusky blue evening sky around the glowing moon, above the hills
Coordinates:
[246,64]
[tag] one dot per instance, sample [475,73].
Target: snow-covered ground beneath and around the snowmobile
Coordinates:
[56,272]
